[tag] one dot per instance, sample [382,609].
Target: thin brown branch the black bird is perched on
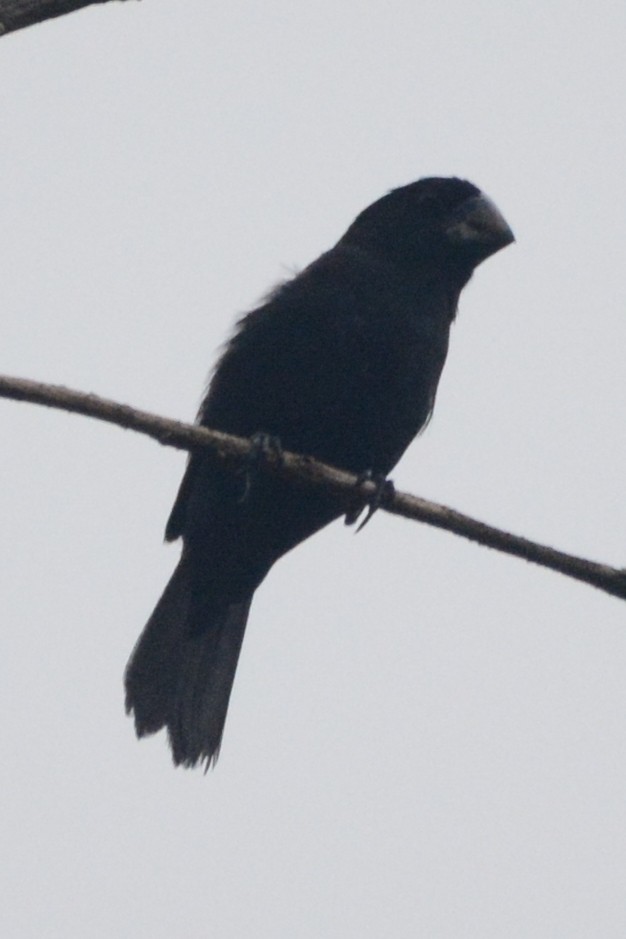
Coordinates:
[309,472]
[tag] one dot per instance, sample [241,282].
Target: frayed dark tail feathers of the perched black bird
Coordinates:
[181,672]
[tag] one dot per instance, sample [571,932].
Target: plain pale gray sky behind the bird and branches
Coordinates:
[425,738]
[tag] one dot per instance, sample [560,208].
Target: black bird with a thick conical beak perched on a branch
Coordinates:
[341,363]
